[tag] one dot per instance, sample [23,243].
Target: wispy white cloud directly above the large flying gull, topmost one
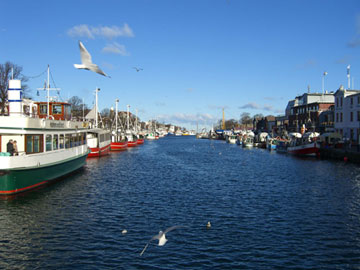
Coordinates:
[108,32]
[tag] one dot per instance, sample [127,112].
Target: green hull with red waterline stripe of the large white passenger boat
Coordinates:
[15,181]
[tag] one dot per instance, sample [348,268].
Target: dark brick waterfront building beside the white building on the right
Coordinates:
[306,109]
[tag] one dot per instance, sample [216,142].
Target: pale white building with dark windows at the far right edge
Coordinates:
[347,113]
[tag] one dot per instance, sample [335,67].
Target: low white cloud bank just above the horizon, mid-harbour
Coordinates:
[192,119]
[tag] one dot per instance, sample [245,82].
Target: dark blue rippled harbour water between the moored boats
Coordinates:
[267,210]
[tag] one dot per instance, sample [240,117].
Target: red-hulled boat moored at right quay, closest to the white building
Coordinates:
[306,145]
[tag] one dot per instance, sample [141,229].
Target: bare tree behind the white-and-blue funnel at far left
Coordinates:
[7,72]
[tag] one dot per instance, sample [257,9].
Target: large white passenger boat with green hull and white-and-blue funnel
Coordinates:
[49,144]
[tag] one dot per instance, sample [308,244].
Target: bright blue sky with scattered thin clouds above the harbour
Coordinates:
[197,56]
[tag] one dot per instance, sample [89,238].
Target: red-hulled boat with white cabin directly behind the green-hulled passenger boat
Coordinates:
[98,141]
